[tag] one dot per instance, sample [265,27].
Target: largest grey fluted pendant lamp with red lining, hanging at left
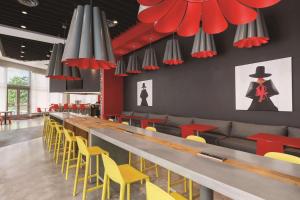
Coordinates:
[88,43]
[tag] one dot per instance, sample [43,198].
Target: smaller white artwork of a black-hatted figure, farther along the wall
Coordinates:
[144,93]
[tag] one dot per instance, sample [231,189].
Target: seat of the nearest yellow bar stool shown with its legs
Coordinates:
[130,174]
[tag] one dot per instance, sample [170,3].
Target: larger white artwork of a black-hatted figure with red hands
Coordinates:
[264,86]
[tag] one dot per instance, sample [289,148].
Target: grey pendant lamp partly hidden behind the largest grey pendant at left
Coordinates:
[57,70]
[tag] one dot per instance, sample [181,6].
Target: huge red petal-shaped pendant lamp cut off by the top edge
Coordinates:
[184,16]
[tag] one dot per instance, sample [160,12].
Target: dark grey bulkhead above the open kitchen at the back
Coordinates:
[90,83]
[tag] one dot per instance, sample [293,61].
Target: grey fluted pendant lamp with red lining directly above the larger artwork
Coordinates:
[253,34]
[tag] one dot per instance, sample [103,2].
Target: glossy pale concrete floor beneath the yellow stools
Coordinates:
[28,172]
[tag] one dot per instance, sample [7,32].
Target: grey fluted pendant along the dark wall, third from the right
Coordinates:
[172,54]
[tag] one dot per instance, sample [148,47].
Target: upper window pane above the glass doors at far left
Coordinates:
[18,77]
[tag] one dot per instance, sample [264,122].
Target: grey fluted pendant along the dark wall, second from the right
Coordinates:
[204,45]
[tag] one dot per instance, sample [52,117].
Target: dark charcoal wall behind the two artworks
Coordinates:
[206,88]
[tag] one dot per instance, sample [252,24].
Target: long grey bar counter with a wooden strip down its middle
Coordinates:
[241,176]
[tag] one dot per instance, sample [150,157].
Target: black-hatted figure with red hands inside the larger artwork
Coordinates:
[261,90]
